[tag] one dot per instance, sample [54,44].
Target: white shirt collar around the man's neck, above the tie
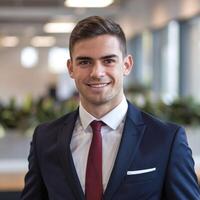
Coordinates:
[112,119]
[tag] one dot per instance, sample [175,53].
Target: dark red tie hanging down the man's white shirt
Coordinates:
[93,185]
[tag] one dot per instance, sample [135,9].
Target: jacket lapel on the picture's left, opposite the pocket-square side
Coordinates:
[65,155]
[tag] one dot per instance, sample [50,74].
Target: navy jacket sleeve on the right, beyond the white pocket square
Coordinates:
[181,181]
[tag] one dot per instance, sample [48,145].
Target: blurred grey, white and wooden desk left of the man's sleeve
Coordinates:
[14,150]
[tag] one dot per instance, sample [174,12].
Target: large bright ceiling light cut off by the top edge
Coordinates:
[88,3]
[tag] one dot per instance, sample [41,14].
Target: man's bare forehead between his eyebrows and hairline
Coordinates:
[97,46]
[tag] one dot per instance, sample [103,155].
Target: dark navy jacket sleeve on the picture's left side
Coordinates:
[34,188]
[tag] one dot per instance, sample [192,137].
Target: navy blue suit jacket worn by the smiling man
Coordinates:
[146,143]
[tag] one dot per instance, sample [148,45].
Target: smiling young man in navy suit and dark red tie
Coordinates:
[107,149]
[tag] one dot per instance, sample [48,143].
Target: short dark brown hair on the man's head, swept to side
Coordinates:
[95,26]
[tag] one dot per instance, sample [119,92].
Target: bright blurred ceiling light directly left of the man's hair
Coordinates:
[59,27]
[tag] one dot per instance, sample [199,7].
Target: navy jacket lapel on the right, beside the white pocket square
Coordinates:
[132,134]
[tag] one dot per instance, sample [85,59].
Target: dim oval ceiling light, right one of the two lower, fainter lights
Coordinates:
[43,41]
